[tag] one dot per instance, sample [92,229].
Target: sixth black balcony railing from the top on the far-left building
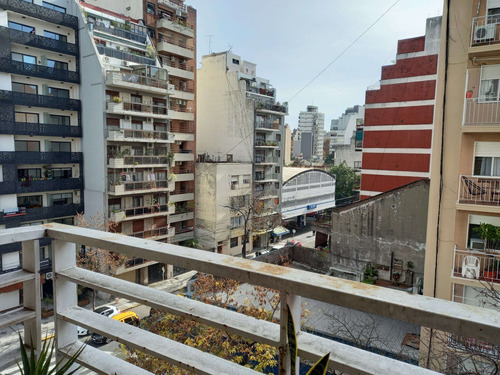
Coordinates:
[27,157]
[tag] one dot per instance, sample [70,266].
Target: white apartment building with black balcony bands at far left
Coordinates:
[40,125]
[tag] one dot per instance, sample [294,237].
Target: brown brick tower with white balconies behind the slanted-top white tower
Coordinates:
[171,28]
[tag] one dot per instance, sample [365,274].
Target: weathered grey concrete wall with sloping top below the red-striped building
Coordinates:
[394,222]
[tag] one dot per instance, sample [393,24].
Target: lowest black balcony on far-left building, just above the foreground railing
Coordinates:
[40,213]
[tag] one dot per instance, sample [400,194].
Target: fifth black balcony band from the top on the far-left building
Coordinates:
[35,128]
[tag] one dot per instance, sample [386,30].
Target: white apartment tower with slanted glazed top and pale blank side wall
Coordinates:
[128,152]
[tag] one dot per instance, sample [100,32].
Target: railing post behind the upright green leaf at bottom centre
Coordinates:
[294,302]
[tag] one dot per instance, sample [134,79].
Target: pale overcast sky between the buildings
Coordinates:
[291,41]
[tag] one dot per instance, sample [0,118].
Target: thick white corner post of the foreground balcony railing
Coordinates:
[65,296]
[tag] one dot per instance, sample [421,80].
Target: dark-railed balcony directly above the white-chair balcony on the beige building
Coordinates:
[483,193]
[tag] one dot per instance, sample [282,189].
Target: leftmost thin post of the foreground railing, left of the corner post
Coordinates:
[31,292]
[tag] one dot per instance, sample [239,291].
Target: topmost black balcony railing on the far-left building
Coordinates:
[40,12]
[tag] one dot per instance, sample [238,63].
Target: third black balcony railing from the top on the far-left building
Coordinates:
[16,67]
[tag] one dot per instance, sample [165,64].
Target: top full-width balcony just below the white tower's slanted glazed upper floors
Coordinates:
[138,82]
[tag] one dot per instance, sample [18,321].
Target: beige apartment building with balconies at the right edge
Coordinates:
[465,179]
